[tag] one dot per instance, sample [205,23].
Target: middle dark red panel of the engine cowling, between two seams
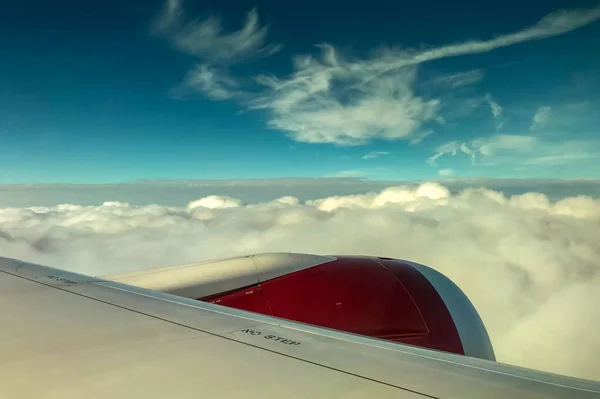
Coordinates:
[354,295]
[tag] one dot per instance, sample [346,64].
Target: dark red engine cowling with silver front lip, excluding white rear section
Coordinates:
[379,297]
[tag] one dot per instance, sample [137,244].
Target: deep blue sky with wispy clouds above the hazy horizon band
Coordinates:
[112,91]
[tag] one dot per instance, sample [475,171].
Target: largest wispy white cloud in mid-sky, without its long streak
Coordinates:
[332,100]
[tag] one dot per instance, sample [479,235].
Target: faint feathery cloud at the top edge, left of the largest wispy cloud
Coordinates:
[205,39]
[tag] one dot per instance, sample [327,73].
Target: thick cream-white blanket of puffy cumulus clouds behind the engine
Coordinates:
[530,265]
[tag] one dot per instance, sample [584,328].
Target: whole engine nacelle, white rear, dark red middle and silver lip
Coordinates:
[383,298]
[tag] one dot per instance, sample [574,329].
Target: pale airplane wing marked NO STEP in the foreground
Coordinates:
[67,335]
